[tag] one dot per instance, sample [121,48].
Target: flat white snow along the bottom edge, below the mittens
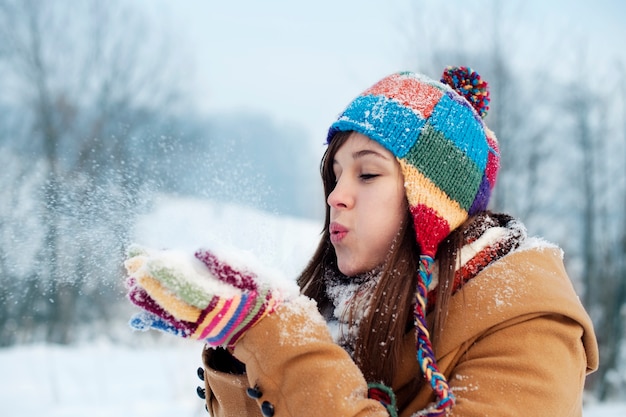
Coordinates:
[101,380]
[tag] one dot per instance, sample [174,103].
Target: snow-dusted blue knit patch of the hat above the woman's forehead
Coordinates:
[388,122]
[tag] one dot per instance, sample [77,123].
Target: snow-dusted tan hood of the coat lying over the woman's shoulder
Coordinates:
[530,281]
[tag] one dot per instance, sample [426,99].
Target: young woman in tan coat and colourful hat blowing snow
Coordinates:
[425,303]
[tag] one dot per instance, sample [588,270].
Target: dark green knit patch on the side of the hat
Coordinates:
[449,168]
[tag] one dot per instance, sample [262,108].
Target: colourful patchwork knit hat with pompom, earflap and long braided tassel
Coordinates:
[449,160]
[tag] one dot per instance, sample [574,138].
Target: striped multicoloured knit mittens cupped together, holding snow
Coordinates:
[198,297]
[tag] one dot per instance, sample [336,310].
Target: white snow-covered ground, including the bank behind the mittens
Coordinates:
[156,377]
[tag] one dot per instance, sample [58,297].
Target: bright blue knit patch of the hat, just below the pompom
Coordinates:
[458,123]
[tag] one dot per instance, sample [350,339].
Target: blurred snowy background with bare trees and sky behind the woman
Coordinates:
[191,123]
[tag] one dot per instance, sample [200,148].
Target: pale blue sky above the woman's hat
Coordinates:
[302,62]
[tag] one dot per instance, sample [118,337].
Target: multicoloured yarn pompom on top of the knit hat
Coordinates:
[468,83]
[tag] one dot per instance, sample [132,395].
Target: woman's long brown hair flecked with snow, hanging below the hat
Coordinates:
[381,331]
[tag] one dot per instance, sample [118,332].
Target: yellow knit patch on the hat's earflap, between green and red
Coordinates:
[421,190]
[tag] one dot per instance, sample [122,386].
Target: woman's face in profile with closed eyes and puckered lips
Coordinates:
[367,204]
